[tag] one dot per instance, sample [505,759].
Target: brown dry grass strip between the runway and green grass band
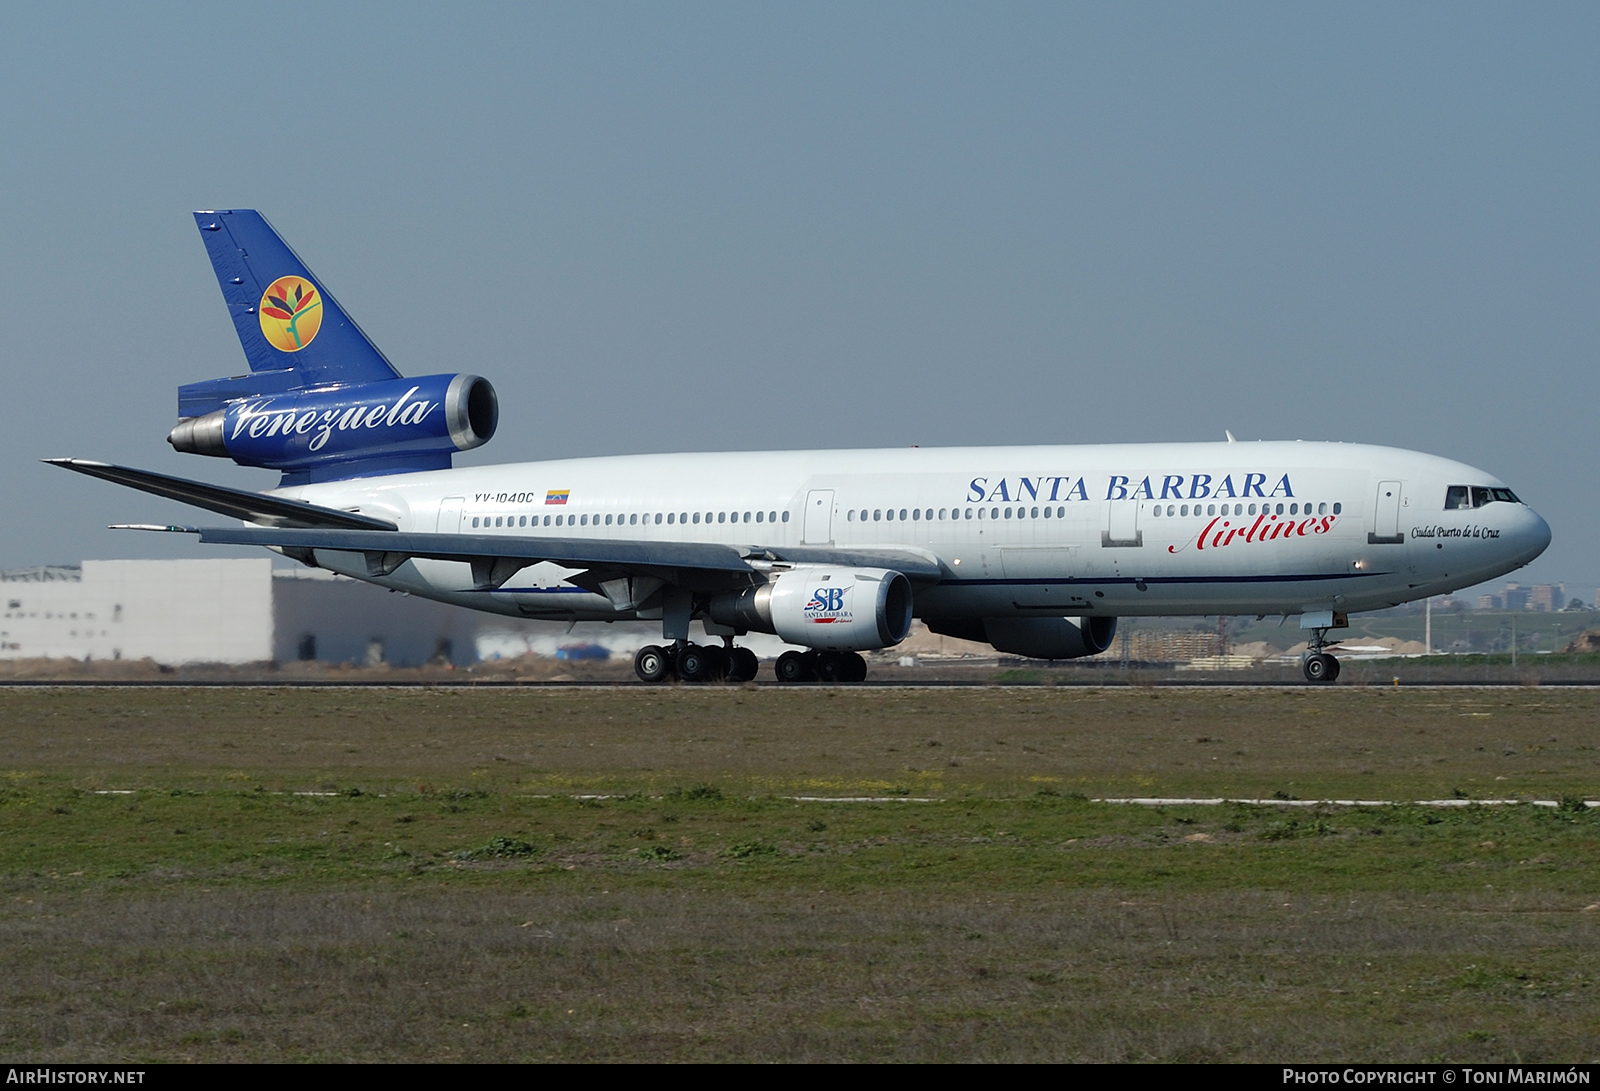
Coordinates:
[1338,743]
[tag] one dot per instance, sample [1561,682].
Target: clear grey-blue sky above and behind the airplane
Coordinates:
[663,228]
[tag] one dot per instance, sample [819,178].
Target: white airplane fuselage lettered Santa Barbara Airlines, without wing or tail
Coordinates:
[1119,530]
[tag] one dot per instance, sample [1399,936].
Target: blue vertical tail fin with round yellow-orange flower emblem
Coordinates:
[295,334]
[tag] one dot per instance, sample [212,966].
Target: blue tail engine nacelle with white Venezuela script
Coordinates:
[402,423]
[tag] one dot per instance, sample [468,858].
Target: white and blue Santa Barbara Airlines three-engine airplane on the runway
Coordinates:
[1036,551]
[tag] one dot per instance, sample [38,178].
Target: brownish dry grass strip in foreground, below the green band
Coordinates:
[678,975]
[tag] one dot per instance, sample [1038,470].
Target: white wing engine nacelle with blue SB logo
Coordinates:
[825,607]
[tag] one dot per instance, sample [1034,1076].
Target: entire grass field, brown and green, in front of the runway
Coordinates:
[412,874]
